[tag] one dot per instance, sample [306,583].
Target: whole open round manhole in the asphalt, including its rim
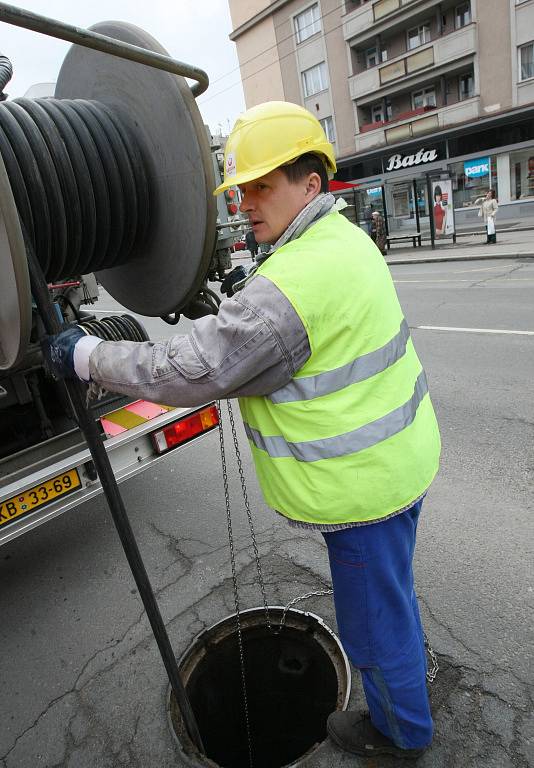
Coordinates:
[296,676]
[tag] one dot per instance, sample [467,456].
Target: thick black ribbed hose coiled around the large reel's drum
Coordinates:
[79,183]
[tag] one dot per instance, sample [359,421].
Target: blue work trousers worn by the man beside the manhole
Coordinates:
[379,623]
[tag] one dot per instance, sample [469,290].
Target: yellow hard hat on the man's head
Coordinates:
[270,135]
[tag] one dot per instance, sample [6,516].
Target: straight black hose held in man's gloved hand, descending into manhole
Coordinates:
[76,393]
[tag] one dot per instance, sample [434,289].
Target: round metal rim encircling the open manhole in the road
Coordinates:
[193,758]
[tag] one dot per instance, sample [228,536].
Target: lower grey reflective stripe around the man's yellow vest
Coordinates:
[350,442]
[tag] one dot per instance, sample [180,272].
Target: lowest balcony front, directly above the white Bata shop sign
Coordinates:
[416,123]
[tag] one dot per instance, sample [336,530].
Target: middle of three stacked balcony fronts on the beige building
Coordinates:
[366,85]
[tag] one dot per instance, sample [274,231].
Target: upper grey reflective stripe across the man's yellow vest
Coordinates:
[309,387]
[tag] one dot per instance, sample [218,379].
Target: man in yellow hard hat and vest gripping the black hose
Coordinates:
[334,401]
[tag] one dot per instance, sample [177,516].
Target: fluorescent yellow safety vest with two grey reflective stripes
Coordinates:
[353,436]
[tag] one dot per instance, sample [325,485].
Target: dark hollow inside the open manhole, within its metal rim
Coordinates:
[292,687]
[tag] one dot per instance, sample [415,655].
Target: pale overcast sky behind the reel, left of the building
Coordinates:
[193,32]
